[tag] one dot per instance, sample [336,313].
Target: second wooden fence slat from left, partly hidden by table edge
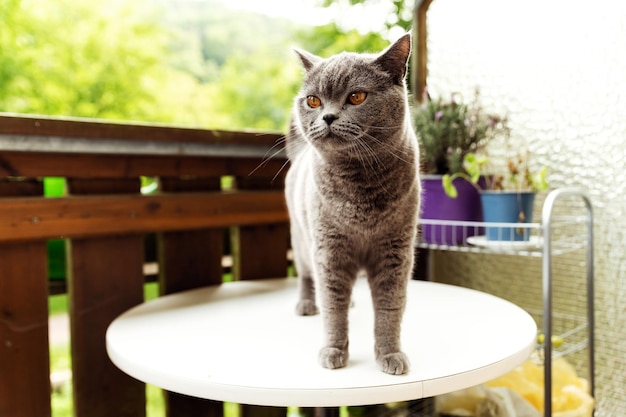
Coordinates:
[105,279]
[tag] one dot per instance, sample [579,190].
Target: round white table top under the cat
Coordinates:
[242,342]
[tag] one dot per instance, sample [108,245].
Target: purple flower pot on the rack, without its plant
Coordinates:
[437,205]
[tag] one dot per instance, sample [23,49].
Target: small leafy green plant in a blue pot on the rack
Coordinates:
[505,198]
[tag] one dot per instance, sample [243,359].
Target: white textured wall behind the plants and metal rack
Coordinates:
[558,69]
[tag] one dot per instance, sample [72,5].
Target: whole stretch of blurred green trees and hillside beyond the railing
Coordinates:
[190,63]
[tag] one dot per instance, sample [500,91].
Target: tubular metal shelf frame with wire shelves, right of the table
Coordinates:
[551,239]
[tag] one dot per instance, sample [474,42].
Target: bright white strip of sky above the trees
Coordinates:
[368,18]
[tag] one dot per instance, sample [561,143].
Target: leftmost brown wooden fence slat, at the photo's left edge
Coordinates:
[24,352]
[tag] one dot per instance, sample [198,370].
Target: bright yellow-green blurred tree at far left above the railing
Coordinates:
[92,59]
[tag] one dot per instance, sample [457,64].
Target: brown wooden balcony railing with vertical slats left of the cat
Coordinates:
[104,218]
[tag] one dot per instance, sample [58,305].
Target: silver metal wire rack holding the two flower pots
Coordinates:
[551,236]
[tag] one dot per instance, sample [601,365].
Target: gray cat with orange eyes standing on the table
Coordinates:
[353,194]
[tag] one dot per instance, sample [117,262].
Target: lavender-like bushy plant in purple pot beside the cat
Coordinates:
[447,131]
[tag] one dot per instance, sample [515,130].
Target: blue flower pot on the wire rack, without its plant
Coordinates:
[505,207]
